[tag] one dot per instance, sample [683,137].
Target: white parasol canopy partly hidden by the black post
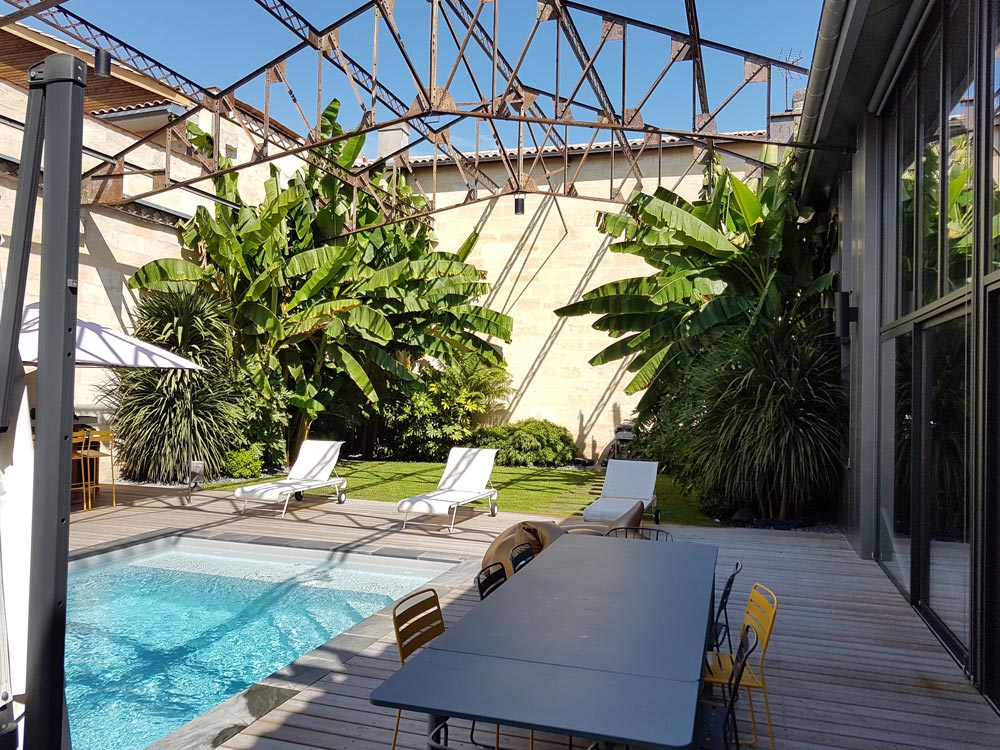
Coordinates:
[97,346]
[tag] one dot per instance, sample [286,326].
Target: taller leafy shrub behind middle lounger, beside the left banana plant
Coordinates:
[424,421]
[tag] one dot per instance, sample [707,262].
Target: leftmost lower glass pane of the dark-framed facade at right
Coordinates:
[895,459]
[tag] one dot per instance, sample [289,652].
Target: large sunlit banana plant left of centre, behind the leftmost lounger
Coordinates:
[315,309]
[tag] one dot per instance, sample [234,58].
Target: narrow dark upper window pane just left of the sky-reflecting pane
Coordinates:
[930,174]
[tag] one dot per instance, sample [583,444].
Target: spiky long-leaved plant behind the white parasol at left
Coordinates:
[163,418]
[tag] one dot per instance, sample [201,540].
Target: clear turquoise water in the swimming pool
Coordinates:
[155,640]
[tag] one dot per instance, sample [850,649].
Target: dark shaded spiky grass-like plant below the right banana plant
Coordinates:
[757,422]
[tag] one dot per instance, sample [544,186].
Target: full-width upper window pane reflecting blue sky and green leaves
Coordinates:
[961,66]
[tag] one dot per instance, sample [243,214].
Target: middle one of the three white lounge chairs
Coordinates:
[466,479]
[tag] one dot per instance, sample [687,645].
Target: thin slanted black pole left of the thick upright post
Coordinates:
[28,175]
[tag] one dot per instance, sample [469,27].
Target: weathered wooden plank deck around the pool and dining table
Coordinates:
[850,664]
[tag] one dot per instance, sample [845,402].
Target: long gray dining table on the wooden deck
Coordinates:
[598,638]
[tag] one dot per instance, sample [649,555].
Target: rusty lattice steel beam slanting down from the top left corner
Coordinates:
[96,38]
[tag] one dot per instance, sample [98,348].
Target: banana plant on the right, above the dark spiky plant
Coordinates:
[738,255]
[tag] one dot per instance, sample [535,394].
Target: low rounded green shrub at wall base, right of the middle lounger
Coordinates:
[529,442]
